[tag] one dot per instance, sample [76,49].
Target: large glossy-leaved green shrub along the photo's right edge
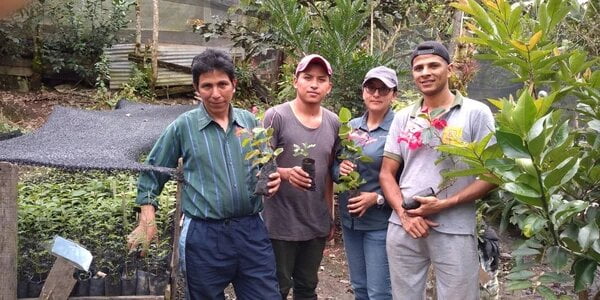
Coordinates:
[547,164]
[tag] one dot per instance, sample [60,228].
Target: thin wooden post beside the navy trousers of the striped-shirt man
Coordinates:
[177,232]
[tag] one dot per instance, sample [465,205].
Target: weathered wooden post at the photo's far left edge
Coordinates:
[9,176]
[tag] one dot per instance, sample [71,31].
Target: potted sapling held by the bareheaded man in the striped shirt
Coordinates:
[262,155]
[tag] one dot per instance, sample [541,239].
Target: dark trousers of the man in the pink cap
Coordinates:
[298,266]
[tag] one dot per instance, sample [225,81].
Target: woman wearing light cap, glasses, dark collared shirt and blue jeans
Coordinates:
[365,217]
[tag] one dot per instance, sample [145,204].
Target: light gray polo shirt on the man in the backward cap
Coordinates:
[468,121]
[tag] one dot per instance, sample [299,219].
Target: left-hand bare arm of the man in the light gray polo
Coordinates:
[416,226]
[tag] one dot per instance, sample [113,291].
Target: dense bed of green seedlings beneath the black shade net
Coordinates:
[93,209]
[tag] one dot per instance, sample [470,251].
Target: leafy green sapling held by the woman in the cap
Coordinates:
[351,142]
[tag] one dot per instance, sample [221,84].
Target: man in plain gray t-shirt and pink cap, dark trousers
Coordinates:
[299,221]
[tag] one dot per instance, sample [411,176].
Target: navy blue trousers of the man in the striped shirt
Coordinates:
[236,251]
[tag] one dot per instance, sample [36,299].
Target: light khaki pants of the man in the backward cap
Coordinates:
[454,258]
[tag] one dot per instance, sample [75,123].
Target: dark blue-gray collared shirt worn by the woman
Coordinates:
[376,217]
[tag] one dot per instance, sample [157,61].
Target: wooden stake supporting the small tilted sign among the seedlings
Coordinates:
[60,281]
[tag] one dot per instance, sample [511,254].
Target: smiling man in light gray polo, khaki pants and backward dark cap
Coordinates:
[442,230]
